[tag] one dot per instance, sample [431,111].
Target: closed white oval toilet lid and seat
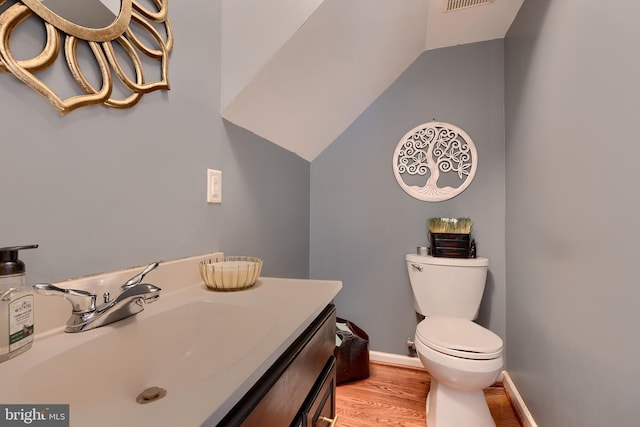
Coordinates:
[459,338]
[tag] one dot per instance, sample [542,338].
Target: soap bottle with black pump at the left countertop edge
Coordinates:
[16,304]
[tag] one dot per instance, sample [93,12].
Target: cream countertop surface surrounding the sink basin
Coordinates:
[290,305]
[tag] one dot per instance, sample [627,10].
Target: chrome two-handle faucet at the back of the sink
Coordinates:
[85,315]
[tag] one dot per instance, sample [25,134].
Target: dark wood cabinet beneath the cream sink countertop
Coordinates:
[299,389]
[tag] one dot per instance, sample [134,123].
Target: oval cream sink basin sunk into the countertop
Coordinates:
[172,350]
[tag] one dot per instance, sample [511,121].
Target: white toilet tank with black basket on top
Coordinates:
[447,286]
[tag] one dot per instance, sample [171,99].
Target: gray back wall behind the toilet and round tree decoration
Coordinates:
[363,223]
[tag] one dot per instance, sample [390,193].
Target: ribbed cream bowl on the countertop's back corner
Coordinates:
[230,273]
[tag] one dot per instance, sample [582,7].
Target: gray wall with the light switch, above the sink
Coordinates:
[104,189]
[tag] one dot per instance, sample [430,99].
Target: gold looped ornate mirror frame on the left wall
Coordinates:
[61,32]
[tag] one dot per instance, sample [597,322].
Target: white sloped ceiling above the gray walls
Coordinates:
[299,72]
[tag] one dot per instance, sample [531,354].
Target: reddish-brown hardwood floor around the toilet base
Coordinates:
[396,395]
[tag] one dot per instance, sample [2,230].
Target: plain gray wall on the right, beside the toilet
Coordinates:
[572,101]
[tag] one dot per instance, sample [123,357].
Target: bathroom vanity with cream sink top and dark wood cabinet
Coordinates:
[261,356]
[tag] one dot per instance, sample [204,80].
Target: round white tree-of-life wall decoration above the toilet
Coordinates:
[435,161]
